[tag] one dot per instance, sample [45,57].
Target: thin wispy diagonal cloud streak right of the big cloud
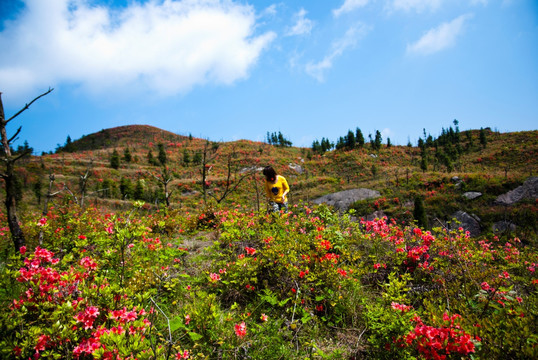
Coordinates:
[349,40]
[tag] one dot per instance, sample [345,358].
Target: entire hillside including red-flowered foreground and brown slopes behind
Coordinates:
[208,277]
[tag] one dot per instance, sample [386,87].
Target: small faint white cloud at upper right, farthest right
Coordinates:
[439,38]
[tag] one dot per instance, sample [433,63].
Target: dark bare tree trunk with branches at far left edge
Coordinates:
[9,175]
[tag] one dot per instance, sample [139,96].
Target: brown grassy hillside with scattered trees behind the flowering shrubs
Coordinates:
[502,165]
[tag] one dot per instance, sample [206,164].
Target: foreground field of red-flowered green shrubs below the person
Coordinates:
[233,283]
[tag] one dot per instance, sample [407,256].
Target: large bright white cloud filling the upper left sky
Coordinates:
[166,46]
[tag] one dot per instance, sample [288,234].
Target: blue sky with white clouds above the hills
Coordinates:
[228,70]
